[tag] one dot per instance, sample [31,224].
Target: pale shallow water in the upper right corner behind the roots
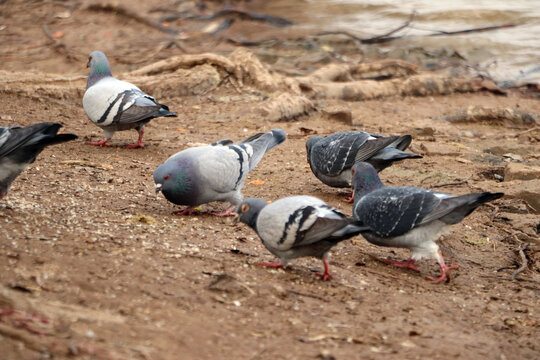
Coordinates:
[508,52]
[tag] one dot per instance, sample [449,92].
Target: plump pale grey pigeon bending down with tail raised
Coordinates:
[203,174]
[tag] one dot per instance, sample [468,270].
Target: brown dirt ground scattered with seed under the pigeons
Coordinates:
[97,267]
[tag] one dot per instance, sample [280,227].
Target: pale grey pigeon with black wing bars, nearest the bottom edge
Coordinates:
[297,226]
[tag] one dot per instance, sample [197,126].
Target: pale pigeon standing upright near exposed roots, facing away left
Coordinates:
[116,105]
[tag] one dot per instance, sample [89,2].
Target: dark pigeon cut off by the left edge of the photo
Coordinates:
[19,147]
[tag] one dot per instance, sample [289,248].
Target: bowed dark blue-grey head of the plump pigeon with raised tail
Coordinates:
[175,181]
